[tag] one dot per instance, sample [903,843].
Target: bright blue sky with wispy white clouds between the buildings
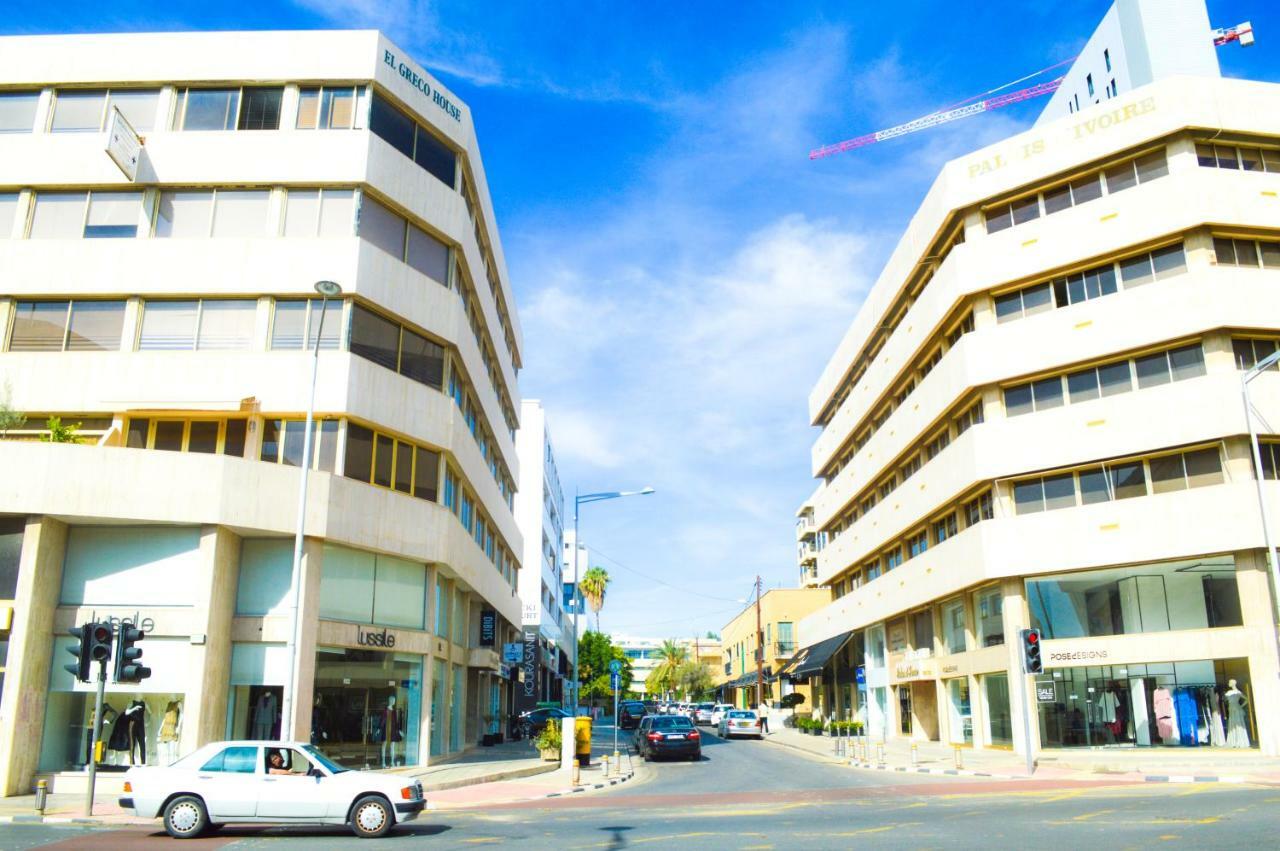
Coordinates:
[683,272]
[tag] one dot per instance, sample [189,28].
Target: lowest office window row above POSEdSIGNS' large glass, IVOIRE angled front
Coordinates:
[1119,481]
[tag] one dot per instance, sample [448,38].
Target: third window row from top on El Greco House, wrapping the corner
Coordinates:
[230,324]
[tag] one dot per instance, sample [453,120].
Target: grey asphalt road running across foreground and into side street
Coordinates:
[758,795]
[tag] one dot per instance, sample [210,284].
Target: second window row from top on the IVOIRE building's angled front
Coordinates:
[1095,283]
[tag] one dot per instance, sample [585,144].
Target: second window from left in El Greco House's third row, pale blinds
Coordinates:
[207,326]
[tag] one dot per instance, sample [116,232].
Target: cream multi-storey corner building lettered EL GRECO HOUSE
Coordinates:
[171,319]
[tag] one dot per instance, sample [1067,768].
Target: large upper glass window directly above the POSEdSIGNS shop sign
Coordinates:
[1150,598]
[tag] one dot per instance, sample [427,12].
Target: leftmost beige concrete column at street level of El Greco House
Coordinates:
[31,642]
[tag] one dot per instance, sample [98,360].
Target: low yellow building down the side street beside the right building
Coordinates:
[775,646]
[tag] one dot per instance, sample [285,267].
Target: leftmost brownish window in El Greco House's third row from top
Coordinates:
[72,327]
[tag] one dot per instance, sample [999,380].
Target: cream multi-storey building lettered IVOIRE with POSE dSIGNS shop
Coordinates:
[1036,422]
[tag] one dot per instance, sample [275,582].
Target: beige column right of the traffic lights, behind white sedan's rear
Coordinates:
[205,708]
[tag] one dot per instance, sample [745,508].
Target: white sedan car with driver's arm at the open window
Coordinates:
[259,783]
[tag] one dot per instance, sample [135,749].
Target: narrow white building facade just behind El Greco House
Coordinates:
[541,518]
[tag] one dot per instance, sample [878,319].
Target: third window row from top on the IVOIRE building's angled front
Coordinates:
[1108,379]
